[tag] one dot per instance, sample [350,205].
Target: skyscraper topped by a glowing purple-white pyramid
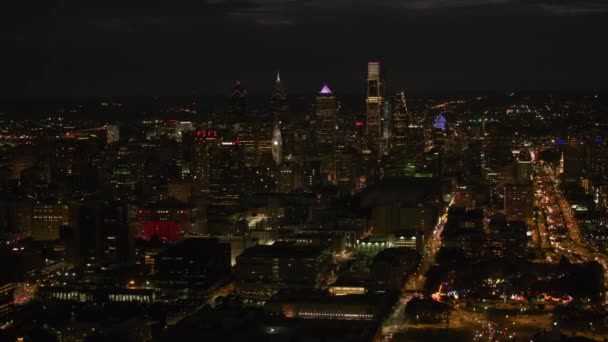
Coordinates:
[326,130]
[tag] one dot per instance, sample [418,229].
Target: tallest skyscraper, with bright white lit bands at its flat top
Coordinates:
[374,103]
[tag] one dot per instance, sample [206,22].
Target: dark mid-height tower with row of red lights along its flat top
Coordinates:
[206,142]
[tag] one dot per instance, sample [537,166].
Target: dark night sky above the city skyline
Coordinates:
[200,47]
